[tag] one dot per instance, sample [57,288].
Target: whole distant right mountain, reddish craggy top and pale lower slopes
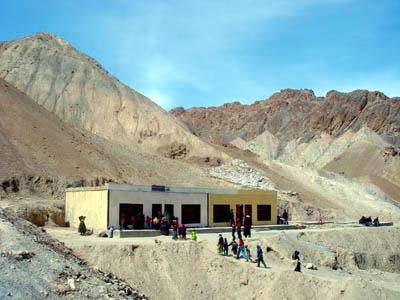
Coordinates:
[310,144]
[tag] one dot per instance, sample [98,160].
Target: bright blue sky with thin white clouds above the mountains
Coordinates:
[202,53]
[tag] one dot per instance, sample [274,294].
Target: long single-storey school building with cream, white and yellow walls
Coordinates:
[195,207]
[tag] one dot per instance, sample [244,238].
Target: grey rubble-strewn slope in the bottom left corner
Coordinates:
[35,266]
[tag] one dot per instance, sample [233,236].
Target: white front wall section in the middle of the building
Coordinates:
[149,198]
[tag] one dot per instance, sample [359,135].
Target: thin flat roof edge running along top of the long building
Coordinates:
[169,189]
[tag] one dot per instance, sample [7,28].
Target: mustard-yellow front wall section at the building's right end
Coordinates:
[253,198]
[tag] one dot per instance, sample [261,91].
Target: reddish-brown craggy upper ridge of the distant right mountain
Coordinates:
[291,114]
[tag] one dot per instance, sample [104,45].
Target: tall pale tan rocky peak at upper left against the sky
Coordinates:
[82,93]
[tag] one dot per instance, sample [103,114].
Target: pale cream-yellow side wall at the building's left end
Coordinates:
[91,204]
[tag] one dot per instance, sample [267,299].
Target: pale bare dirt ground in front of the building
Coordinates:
[350,264]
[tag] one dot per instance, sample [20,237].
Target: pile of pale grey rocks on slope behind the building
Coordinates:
[239,172]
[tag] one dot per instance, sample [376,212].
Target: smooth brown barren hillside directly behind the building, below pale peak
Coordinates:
[37,146]
